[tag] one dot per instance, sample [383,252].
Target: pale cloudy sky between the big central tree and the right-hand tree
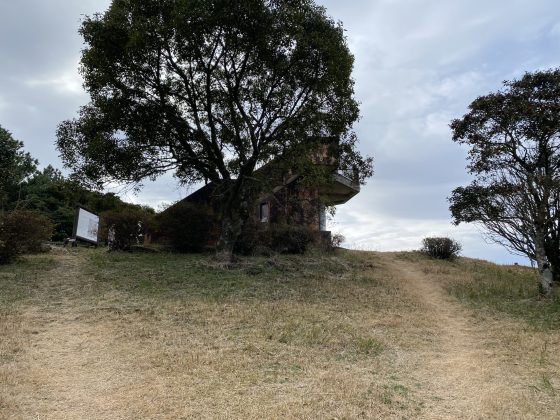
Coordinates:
[418,66]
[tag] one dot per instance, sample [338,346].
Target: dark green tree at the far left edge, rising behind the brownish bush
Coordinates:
[16,166]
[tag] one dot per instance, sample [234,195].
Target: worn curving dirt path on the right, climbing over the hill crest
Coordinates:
[458,368]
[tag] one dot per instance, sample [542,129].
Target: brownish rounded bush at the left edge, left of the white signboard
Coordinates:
[22,232]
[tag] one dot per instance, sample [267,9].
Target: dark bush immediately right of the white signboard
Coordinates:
[129,227]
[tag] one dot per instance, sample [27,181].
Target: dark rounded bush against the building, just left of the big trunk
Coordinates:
[187,227]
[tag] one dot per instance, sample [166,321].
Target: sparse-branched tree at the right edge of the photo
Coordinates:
[514,141]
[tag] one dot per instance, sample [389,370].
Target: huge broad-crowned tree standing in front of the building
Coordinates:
[212,90]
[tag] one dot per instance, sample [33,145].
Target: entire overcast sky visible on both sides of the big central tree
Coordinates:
[419,63]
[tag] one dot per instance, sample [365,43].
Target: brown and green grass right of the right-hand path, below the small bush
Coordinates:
[518,335]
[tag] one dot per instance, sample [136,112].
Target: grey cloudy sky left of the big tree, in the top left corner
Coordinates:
[39,81]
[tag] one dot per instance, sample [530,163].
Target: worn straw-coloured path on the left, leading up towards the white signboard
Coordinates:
[72,365]
